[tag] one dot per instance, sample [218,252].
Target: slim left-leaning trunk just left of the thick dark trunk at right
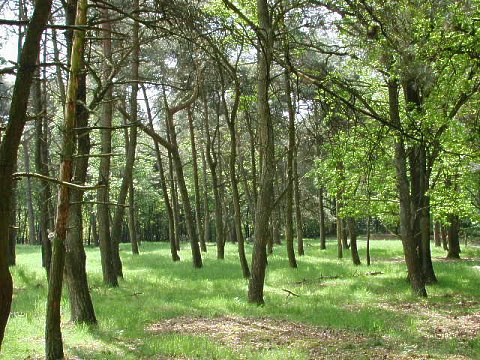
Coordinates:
[409,242]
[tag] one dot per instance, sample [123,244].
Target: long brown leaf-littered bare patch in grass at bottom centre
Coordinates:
[265,334]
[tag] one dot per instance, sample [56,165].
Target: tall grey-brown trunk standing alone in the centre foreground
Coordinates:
[267,154]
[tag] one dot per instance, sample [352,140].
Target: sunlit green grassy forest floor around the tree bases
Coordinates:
[170,310]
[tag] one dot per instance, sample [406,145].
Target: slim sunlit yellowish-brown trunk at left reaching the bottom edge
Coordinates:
[53,335]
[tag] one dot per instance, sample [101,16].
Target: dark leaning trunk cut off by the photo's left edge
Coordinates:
[10,143]
